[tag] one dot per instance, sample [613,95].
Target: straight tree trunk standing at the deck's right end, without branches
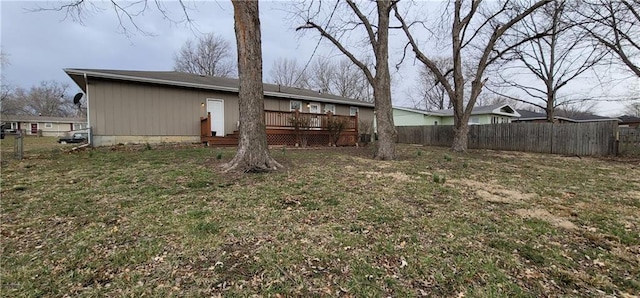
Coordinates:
[382,88]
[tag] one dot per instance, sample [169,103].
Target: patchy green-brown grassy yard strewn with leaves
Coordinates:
[165,222]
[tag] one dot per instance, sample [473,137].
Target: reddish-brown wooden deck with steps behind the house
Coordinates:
[292,129]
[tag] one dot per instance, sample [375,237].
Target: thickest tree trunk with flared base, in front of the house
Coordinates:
[253,152]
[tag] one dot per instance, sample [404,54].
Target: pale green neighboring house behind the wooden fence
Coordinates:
[493,114]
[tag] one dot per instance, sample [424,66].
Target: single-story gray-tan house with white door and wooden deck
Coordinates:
[128,106]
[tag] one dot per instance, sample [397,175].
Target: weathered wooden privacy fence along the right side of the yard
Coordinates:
[596,138]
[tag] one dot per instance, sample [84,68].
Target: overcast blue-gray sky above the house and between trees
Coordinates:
[40,44]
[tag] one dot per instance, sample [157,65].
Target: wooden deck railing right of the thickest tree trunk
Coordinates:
[310,121]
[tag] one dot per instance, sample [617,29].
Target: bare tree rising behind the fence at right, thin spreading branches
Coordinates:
[562,55]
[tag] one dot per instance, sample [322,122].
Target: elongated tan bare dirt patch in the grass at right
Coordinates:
[495,193]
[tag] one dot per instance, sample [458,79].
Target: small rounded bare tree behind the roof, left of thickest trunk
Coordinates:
[209,54]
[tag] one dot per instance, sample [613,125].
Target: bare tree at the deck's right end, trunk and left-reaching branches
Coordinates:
[377,39]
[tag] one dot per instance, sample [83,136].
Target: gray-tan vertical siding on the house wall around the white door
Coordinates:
[119,108]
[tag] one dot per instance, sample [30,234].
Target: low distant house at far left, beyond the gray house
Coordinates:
[42,125]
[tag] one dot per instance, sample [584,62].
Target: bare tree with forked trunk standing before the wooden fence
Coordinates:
[476,32]
